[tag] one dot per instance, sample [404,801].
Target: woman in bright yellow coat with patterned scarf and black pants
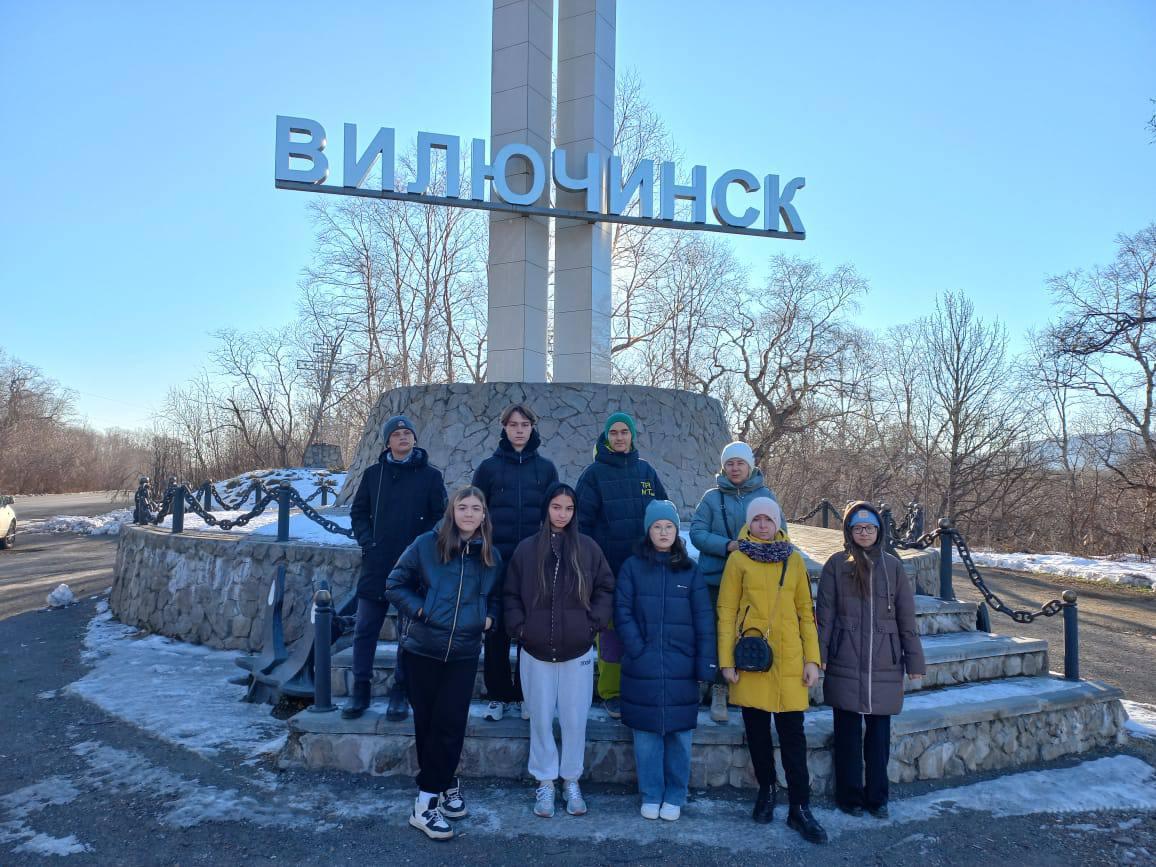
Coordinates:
[766,588]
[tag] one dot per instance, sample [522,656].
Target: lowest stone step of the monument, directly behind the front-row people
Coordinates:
[940,733]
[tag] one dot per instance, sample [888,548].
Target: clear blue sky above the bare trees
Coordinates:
[976,146]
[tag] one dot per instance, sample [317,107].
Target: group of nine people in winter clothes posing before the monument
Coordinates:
[597,576]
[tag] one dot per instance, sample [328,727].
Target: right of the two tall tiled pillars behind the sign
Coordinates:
[586,125]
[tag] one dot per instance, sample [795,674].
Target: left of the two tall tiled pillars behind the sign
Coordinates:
[517,265]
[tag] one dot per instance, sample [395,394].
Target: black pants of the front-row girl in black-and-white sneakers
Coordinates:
[440,694]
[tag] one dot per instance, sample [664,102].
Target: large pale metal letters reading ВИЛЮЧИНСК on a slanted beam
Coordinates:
[609,195]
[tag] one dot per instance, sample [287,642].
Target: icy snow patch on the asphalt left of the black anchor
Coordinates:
[176,692]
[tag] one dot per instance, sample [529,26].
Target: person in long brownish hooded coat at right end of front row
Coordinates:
[866,613]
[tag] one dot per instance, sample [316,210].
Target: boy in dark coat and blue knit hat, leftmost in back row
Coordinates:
[399,499]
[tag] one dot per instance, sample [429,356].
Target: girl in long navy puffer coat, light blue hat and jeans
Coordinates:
[666,621]
